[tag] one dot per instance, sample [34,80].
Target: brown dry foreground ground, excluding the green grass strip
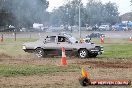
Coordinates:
[63,79]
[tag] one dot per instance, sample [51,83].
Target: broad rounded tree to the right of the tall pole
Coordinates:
[97,13]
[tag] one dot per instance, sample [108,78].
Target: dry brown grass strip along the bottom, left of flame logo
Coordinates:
[51,78]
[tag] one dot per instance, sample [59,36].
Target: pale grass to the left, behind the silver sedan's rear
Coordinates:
[13,48]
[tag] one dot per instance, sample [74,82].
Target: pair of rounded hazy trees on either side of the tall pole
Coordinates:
[95,12]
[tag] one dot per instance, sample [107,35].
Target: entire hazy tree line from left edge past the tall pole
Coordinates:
[23,13]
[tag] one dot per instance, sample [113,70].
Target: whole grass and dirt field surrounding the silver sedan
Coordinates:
[18,71]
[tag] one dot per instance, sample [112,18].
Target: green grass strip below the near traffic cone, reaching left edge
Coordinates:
[28,69]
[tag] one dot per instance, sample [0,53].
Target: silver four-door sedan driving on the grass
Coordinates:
[51,45]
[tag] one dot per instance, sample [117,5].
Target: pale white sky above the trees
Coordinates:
[124,5]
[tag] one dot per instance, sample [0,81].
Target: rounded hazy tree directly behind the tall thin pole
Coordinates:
[68,14]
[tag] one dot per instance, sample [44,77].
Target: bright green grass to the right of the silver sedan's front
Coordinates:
[116,48]
